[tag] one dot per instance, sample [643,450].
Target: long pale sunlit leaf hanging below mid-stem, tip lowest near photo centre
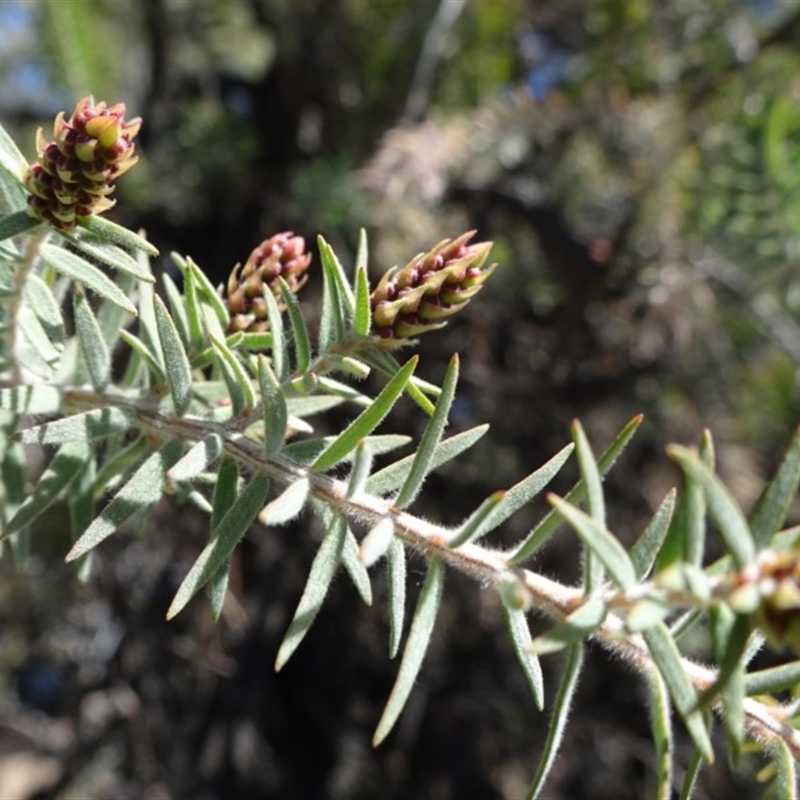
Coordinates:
[418,638]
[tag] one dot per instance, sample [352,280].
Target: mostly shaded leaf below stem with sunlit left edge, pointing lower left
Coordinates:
[227,535]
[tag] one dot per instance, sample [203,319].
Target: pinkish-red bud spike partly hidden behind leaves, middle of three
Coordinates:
[281,256]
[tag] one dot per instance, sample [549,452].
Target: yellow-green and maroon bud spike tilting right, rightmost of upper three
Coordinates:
[419,297]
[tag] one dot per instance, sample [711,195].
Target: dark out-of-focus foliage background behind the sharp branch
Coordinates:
[637,163]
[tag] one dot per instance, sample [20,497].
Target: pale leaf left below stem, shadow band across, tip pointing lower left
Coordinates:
[140,493]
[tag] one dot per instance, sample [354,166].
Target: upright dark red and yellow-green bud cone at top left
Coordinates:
[74,175]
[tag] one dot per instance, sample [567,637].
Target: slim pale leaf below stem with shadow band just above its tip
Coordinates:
[319,580]
